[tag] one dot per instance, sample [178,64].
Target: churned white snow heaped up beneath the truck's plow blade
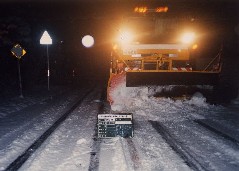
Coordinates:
[128,99]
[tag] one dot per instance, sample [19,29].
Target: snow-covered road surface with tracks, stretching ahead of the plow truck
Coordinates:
[167,134]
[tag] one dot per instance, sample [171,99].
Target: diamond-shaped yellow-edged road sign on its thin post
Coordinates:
[18,52]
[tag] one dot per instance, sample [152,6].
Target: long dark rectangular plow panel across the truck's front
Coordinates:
[135,79]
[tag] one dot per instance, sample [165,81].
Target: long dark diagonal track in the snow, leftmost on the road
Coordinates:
[20,160]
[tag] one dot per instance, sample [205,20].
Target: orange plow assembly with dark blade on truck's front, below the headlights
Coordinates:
[164,65]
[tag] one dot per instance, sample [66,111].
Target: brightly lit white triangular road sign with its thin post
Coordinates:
[46,40]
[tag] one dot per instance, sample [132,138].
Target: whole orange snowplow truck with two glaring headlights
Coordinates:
[164,52]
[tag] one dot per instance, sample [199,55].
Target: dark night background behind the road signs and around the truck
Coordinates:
[24,21]
